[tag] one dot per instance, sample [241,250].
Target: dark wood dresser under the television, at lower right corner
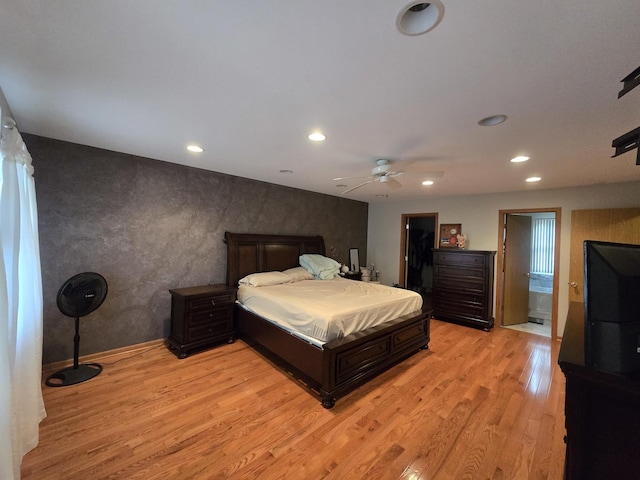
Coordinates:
[602,412]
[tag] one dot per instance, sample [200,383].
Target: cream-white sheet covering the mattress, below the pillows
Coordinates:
[328,309]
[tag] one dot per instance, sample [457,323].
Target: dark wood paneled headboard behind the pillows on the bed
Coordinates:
[250,253]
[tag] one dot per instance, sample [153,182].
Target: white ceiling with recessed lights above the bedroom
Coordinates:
[248,81]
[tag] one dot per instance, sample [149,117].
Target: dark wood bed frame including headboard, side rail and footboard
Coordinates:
[341,365]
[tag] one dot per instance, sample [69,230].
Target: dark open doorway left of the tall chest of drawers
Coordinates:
[416,265]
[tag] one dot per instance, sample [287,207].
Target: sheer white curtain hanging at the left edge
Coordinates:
[21,404]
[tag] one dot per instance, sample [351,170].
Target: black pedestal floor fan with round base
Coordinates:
[78,297]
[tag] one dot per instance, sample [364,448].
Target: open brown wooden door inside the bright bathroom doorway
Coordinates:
[517,262]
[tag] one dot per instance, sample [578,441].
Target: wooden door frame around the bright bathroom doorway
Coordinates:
[556,262]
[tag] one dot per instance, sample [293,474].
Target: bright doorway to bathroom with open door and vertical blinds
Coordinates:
[527,286]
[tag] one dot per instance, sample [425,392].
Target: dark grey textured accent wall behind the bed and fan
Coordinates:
[148,226]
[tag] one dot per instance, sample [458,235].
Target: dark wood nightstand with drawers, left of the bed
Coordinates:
[201,316]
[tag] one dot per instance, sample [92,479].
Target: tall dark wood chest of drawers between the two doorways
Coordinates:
[463,286]
